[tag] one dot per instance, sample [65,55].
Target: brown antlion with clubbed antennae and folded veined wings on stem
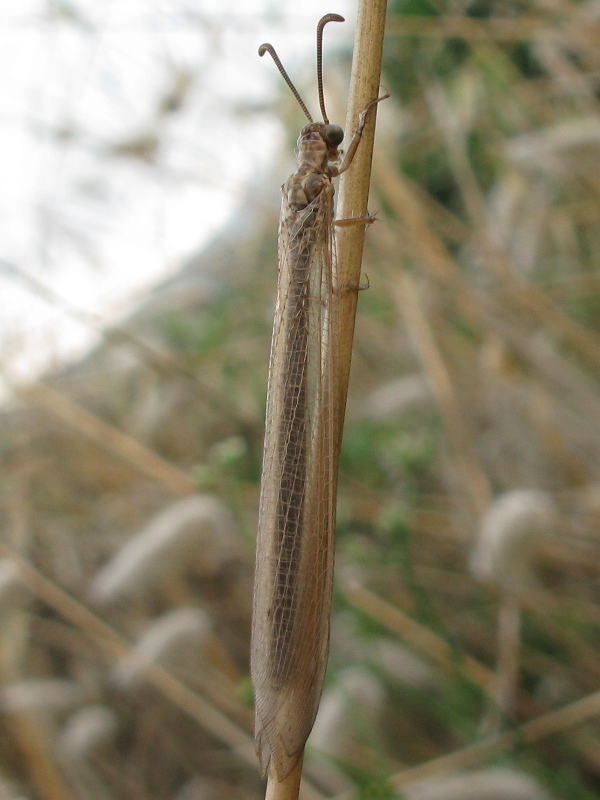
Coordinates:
[294,556]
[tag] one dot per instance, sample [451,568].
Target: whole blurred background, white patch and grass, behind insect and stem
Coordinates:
[142,150]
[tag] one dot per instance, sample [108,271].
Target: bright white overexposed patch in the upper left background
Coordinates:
[80,79]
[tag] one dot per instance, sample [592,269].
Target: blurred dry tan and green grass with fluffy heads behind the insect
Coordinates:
[466,629]
